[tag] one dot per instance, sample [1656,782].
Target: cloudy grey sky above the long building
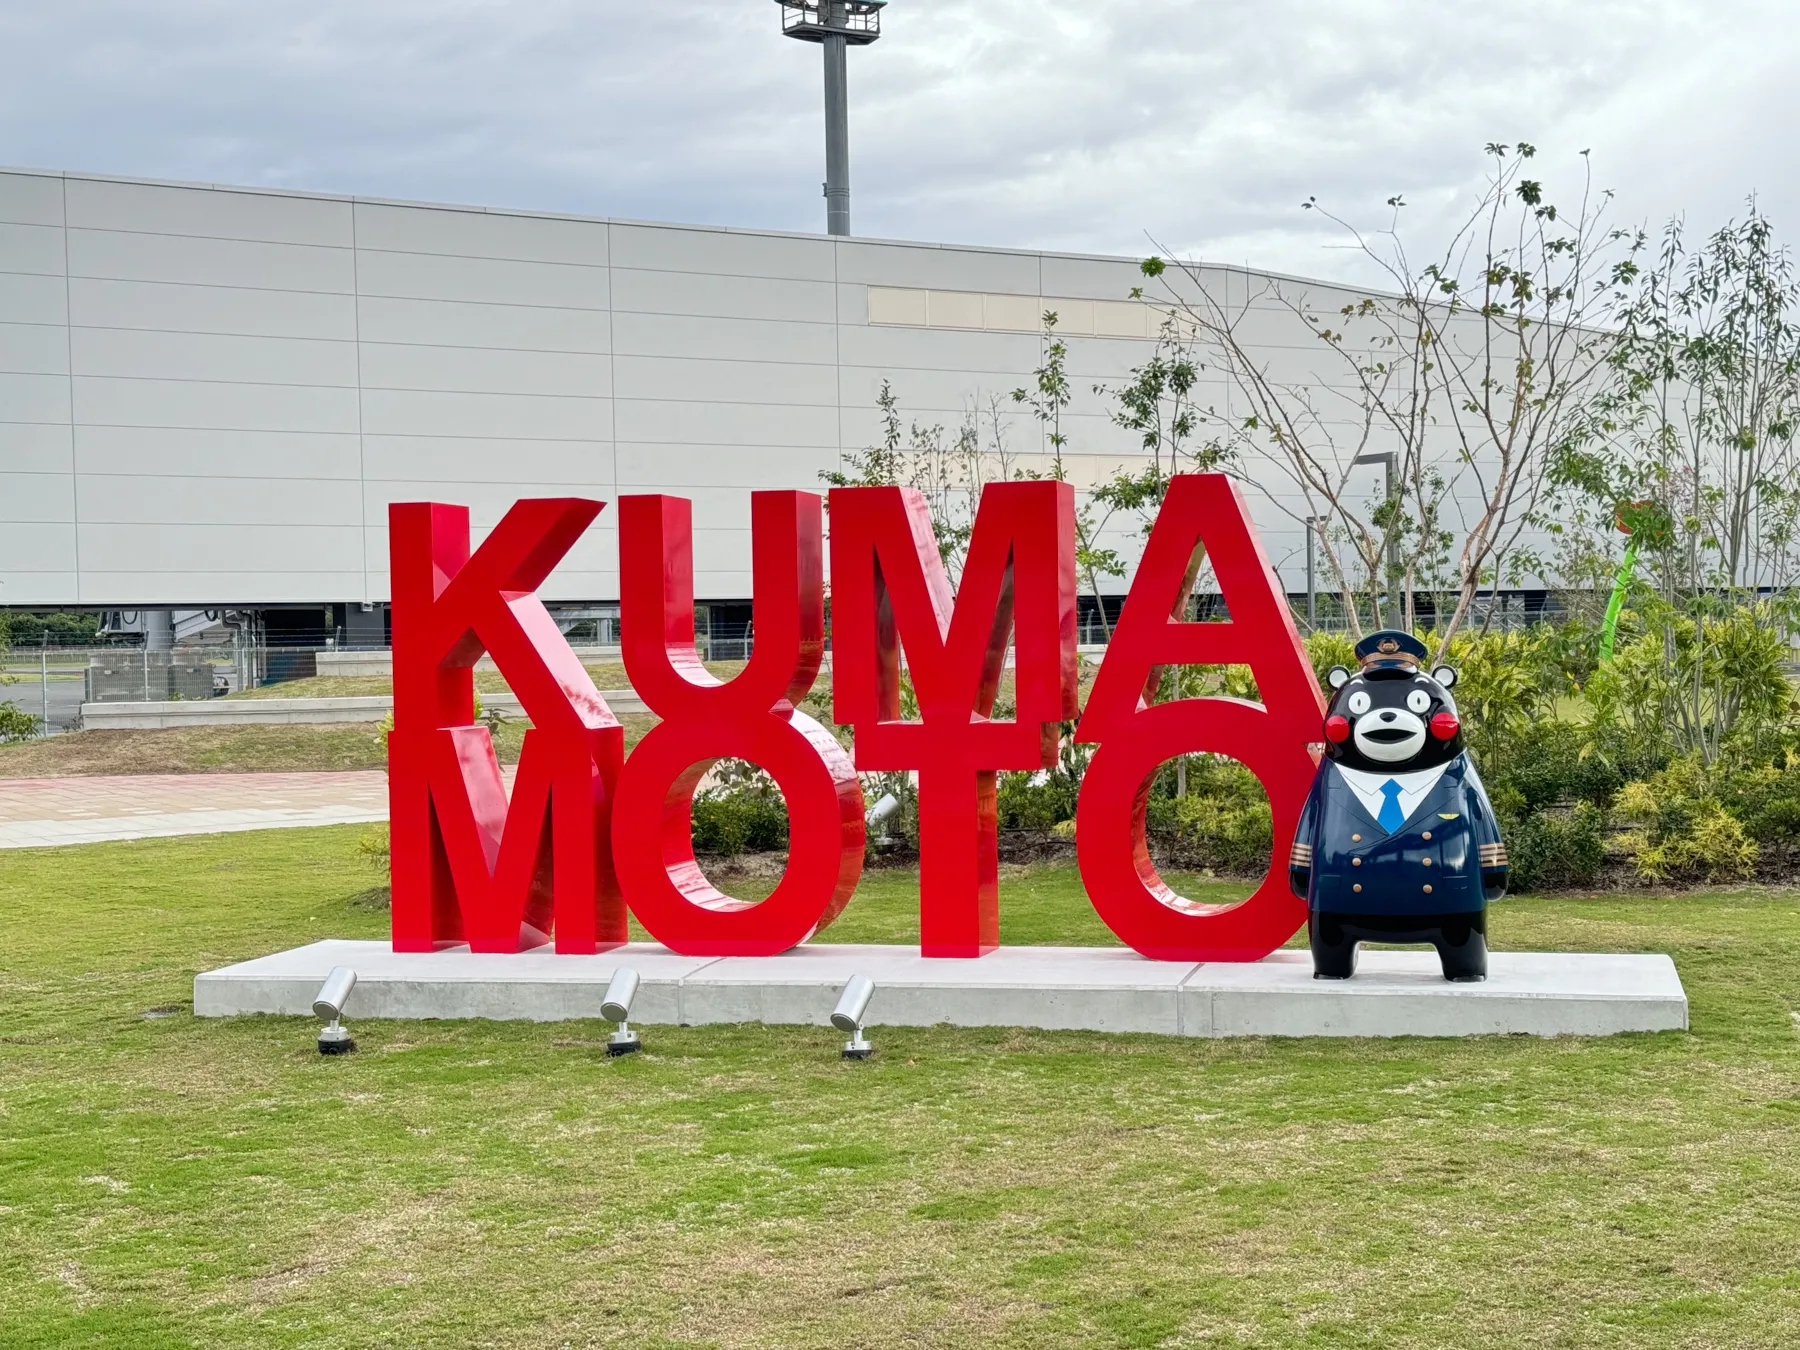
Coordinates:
[1027,123]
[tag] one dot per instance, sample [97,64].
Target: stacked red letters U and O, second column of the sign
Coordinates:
[750,717]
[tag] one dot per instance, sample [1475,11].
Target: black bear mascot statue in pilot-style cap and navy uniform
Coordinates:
[1398,841]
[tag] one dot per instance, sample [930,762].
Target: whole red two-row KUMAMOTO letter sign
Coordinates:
[591,834]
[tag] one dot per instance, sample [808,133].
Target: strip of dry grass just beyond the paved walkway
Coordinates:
[231,750]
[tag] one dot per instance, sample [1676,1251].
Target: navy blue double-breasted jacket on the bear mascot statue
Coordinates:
[1444,859]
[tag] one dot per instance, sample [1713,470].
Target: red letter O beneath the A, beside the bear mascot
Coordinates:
[1115,859]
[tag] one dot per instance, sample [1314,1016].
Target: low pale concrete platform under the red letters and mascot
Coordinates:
[1086,989]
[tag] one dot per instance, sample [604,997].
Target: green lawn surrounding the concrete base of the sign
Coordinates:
[168,1182]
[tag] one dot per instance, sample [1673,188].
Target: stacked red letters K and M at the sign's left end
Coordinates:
[467,865]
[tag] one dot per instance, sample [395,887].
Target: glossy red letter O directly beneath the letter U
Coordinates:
[652,834]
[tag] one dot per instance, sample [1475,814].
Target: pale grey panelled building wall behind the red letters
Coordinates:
[210,395]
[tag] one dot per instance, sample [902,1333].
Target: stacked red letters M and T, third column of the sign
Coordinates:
[888,589]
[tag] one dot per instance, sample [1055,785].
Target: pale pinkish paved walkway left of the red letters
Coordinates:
[87,811]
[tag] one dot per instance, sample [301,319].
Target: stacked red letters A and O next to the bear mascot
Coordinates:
[1272,739]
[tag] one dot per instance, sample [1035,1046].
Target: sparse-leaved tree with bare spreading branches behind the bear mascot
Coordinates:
[1459,382]
